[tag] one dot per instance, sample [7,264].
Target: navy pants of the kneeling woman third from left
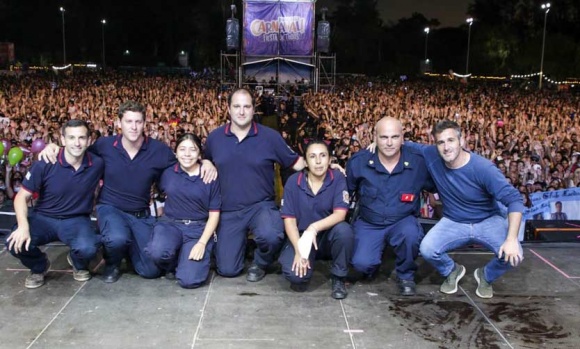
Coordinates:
[170,246]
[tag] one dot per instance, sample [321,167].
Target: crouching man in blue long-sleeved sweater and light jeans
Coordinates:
[470,188]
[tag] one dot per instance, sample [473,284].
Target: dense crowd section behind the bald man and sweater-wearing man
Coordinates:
[530,135]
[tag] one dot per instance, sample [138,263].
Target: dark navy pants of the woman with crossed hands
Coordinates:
[335,244]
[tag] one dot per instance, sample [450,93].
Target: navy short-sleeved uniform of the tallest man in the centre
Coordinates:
[246,176]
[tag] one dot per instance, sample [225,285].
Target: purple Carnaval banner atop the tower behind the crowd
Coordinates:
[278,28]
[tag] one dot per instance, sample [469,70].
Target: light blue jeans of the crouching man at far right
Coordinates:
[447,235]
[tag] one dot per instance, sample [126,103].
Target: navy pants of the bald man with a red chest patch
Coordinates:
[369,243]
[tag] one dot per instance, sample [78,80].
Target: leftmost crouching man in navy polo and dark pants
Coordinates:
[66,192]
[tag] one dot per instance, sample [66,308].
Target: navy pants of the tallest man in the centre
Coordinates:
[264,221]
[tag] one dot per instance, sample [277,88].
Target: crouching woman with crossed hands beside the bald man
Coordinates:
[315,204]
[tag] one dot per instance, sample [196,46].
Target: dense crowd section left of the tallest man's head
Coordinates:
[35,106]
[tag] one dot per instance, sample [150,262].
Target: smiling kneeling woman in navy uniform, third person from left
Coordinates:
[182,240]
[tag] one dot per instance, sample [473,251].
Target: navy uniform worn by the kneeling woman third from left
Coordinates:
[187,207]
